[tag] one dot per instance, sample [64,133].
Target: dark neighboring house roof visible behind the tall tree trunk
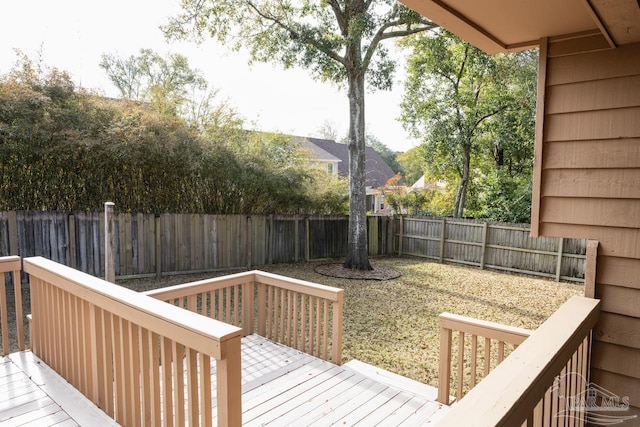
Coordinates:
[376,170]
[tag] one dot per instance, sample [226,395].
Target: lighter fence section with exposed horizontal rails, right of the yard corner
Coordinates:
[499,246]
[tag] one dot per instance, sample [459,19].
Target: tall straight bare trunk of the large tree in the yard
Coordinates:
[358,248]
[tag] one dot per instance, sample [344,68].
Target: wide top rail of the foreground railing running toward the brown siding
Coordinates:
[510,392]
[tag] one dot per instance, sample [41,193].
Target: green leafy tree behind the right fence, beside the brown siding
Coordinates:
[474,111]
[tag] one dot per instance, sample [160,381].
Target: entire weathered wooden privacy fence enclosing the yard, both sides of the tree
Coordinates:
[147,245]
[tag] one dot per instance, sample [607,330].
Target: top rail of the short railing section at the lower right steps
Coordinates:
[484,328]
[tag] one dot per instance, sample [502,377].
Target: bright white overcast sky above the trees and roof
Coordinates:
[74,34]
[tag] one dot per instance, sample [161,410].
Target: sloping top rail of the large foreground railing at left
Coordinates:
[200,333]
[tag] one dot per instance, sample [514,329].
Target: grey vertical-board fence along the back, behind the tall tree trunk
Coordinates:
[148,245]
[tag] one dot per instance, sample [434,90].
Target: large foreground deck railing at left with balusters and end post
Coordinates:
[131,354]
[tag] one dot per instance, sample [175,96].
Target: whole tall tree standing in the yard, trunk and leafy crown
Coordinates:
[338,41]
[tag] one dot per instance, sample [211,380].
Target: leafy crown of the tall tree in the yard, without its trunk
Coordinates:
[317,35]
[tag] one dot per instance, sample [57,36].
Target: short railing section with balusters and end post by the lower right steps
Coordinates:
[486,347]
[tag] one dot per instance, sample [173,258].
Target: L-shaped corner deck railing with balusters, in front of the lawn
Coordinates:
[299,314]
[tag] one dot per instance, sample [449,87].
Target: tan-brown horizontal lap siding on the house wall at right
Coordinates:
[588,159]
